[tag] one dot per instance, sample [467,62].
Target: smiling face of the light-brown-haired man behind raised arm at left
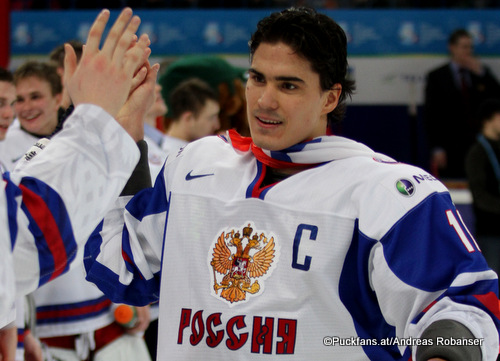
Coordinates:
[36,107]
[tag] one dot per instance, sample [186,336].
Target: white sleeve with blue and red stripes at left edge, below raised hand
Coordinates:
[51,204]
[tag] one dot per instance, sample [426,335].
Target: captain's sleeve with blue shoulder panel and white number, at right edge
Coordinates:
[430,260]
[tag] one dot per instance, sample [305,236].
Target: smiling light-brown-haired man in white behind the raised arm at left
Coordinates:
[38,96]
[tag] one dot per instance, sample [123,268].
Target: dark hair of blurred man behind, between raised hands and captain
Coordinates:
[190,95]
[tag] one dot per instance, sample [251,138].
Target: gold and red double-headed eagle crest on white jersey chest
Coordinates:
[238,260]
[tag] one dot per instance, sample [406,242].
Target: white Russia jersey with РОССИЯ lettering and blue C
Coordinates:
[349,260]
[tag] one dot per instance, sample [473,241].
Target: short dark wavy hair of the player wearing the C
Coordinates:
[317,38]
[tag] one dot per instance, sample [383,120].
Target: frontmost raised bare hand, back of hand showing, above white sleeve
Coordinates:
[104,76]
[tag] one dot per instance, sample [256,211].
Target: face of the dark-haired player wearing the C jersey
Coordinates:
[285,102]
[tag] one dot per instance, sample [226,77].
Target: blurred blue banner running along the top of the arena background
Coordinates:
[181,32]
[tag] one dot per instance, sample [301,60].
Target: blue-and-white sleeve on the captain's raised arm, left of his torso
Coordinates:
[135,229]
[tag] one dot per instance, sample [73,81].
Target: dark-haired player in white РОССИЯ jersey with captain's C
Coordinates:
[264,246]
